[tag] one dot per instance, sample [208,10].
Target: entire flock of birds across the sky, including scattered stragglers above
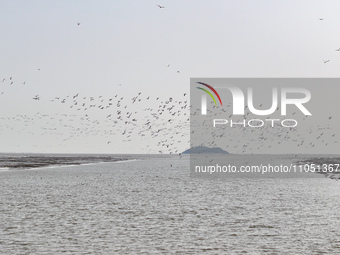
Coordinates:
[166,122]
